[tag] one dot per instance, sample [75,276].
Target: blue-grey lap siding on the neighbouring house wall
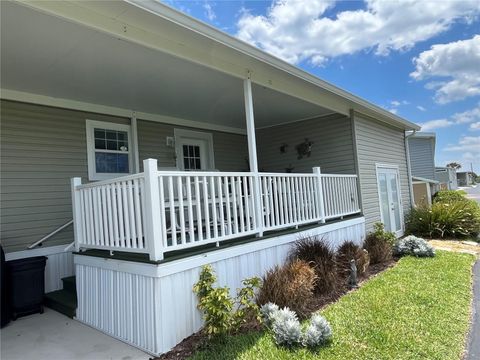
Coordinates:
[422,157]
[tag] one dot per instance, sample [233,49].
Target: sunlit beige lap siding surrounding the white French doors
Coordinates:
[379,143]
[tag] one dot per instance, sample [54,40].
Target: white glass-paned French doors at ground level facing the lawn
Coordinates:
[390,199]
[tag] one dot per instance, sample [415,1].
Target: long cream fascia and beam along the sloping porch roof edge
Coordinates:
[126,20]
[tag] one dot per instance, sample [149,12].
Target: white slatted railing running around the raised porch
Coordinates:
[157,211]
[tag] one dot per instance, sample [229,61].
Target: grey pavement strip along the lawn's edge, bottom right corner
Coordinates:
[473,350]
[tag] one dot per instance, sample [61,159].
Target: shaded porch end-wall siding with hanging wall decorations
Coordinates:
[332,147]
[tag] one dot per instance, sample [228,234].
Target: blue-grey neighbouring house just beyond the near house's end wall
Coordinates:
[421,149]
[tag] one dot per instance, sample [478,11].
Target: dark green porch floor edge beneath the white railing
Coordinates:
[181,254]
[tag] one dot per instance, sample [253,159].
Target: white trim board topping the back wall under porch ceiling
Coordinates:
[13,95]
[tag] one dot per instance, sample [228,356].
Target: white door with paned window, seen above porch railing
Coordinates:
[194,150]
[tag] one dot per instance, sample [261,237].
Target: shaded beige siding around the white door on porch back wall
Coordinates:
[230,150]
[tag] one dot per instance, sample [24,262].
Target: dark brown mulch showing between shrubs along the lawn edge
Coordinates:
[199,340]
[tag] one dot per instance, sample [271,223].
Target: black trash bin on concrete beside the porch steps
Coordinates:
[26,285]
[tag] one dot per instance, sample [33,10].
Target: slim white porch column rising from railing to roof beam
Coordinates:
[252,153]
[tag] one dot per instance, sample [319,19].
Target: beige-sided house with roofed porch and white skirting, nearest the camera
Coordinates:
[139,144]
